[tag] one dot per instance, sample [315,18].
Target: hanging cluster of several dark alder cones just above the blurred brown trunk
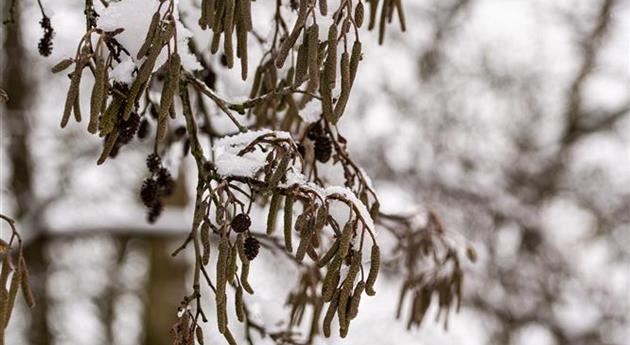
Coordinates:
[155,187]
